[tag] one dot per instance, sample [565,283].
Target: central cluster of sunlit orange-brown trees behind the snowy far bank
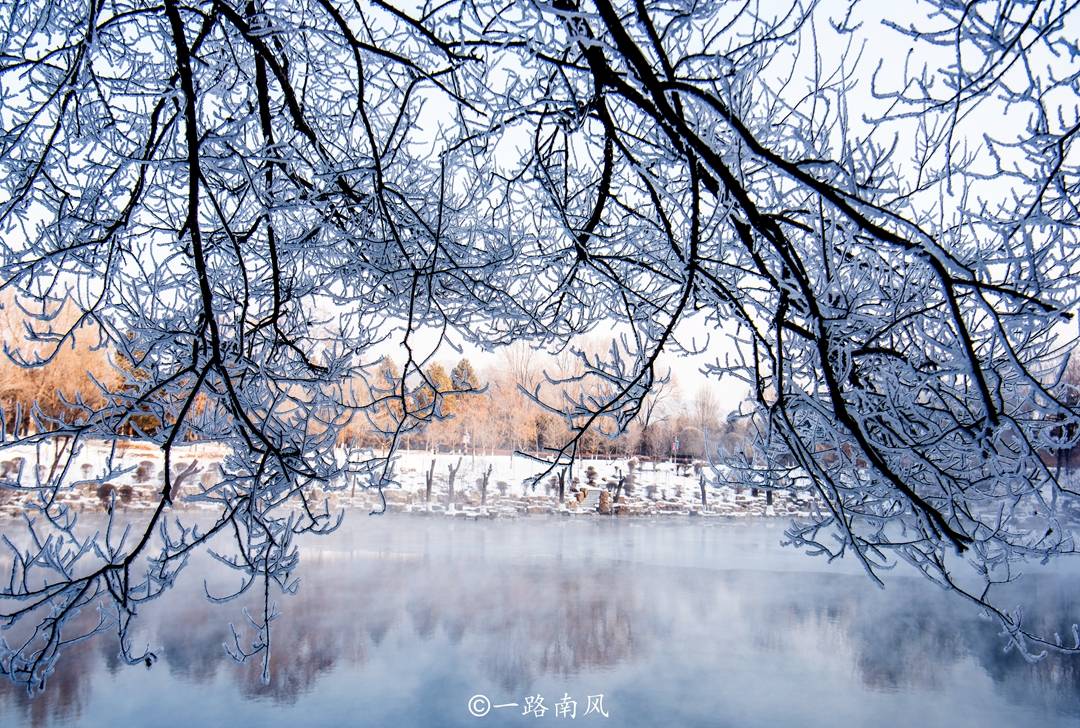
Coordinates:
[484,411]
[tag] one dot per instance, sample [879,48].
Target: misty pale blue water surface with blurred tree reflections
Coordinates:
[400,622]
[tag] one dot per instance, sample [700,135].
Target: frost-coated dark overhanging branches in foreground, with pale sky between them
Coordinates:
[247,200]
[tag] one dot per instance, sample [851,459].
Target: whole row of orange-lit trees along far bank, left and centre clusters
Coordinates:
[462,408]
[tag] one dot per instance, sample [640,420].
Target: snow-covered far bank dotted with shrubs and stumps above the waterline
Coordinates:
[647,489]
